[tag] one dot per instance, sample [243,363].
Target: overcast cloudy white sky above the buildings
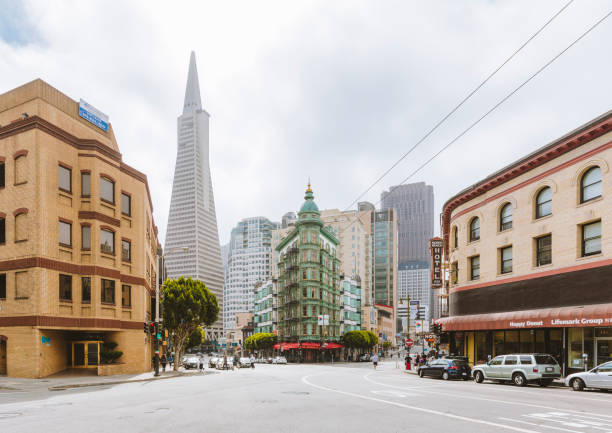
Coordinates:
[332,90]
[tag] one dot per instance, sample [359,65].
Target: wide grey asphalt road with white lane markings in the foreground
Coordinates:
[307,398]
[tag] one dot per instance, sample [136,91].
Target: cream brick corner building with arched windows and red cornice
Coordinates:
[530,254]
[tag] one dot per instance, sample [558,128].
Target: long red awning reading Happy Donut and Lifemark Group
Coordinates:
[573,317]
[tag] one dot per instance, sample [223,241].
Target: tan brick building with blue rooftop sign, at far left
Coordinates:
[77,240]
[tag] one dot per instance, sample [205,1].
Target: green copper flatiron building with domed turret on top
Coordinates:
[309,282]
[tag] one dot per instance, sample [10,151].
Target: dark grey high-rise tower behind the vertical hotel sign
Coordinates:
[414,204]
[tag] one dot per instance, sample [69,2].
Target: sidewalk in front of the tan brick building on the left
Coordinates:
[76,378]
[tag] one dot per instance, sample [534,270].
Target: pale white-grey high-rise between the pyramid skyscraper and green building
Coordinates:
[248,263]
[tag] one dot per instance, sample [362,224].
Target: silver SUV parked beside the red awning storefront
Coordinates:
[519,369]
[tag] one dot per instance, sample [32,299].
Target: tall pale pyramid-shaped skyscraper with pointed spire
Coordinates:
[192,221]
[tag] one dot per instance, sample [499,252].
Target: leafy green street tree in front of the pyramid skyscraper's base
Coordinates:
[187,304]
